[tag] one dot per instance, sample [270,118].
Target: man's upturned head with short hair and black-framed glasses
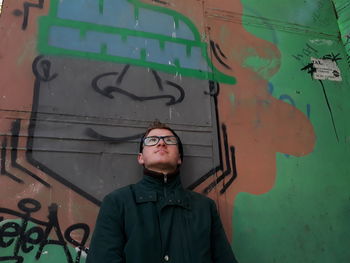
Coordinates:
[160,149]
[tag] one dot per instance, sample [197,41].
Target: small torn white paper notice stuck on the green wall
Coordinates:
[326,69]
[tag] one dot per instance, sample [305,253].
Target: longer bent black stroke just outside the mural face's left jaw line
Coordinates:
[16,126]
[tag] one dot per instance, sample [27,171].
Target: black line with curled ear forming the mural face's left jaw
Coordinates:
[45,65]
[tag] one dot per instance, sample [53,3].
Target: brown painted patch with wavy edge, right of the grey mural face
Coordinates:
[258,125]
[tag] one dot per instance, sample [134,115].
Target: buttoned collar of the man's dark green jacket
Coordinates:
[151,189]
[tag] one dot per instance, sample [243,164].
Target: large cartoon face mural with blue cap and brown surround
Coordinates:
[97,82]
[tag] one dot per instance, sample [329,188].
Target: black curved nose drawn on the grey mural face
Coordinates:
[106,91]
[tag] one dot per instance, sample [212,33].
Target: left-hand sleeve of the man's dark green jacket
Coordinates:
[108,239]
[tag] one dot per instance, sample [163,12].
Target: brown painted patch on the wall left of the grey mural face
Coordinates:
[18,50]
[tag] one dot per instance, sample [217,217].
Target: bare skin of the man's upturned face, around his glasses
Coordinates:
[160,157]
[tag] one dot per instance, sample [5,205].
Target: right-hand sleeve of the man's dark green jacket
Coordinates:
[221,250]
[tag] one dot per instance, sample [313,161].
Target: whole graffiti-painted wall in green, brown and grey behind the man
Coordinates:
[257,91]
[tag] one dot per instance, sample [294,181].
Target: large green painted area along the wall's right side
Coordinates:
[305,217]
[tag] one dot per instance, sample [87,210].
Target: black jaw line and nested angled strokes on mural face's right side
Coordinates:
[214,90]
